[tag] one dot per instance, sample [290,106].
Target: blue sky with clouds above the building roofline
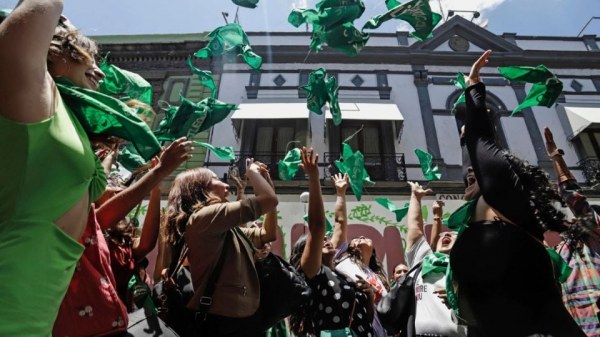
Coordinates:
[129,17]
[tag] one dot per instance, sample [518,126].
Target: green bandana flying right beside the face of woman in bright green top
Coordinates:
[123,83]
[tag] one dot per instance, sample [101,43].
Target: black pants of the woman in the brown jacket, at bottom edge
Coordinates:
[220,326]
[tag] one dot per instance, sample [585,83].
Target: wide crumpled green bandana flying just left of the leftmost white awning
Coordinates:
[191,118]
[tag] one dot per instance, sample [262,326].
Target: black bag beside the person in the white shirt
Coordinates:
[396,310]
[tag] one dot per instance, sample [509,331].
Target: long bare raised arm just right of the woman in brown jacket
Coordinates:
[310,262]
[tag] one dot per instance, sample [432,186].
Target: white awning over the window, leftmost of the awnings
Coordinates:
[268,110]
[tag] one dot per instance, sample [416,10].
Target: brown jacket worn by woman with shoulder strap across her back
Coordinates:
[237,292]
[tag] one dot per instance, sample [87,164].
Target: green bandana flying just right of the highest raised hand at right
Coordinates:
[546,86]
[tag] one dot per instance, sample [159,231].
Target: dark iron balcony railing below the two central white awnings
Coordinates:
[384,167]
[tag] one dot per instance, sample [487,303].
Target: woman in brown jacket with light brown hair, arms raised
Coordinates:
[199,212]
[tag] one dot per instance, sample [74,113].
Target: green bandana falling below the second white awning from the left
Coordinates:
[353,164]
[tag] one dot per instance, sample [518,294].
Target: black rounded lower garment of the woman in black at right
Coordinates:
[506,278]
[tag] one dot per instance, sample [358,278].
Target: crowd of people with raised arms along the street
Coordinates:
[73,263]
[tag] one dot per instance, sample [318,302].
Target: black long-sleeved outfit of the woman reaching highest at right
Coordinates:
[503,271]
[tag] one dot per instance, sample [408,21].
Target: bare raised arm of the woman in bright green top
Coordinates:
[26,88]
